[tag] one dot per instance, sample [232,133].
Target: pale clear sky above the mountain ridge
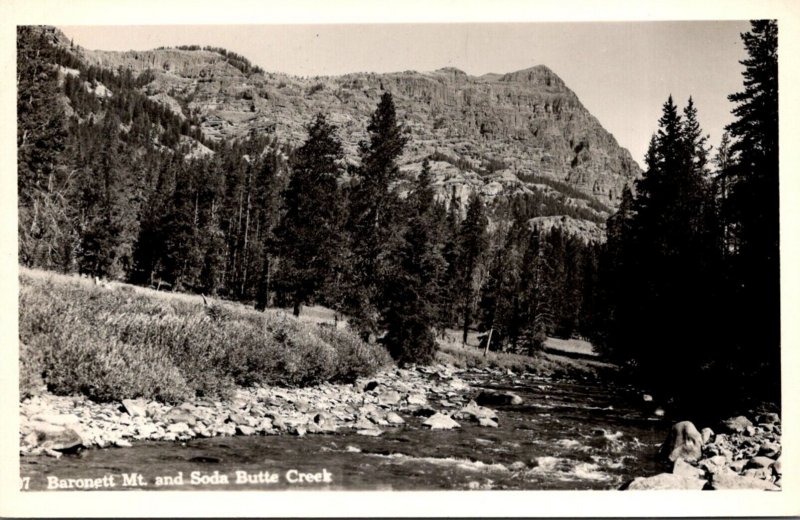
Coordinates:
[622,72]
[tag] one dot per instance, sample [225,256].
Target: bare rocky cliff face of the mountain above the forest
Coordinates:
[525,123]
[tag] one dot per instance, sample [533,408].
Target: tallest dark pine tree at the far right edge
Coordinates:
[751,210]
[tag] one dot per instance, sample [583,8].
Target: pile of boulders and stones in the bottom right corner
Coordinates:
[743,455]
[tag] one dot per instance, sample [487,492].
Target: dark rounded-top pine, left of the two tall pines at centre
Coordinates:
[310,233]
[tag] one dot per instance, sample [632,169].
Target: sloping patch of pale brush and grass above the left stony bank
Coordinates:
[129,342]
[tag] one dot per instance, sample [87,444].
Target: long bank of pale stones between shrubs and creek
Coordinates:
[53,425]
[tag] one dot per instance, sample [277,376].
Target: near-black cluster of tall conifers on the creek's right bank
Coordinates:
[692,275]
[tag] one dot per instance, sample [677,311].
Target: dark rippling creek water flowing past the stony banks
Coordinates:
[567,434]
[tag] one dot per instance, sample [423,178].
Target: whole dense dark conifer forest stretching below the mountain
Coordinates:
[684,293]
